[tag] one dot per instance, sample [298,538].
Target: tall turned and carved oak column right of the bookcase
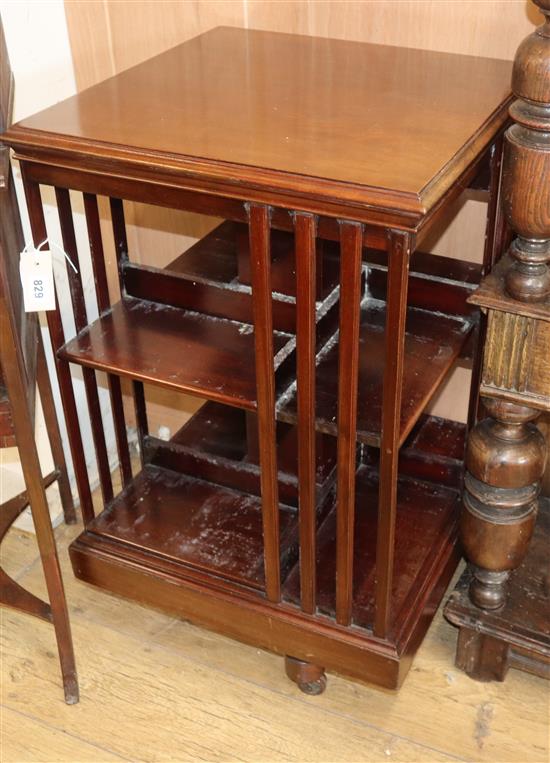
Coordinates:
[506,453]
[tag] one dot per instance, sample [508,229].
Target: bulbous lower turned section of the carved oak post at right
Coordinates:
[505,462]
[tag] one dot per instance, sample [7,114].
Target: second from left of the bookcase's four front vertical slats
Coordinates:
[304,232]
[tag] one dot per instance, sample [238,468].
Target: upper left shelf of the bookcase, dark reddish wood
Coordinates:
[173,348]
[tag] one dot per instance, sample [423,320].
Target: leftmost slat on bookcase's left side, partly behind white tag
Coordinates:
[57,338]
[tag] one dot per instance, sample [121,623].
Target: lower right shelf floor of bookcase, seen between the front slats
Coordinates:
[426,512]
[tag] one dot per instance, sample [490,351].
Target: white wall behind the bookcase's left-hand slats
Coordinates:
[40,57]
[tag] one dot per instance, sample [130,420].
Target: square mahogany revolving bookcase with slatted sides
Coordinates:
[310,506]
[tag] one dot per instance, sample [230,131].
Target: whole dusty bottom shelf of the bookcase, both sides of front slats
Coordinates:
[217,530]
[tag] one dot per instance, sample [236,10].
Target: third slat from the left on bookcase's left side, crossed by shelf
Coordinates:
[102,291]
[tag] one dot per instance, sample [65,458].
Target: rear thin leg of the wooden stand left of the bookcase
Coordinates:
[54,436]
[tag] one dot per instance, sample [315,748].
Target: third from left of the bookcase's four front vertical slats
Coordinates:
[351,242]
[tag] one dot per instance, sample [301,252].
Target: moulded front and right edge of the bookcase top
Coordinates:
[272,187]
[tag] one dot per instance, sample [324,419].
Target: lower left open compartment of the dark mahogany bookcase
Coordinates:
[196,502]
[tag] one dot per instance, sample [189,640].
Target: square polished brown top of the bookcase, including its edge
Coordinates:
[373,123]
